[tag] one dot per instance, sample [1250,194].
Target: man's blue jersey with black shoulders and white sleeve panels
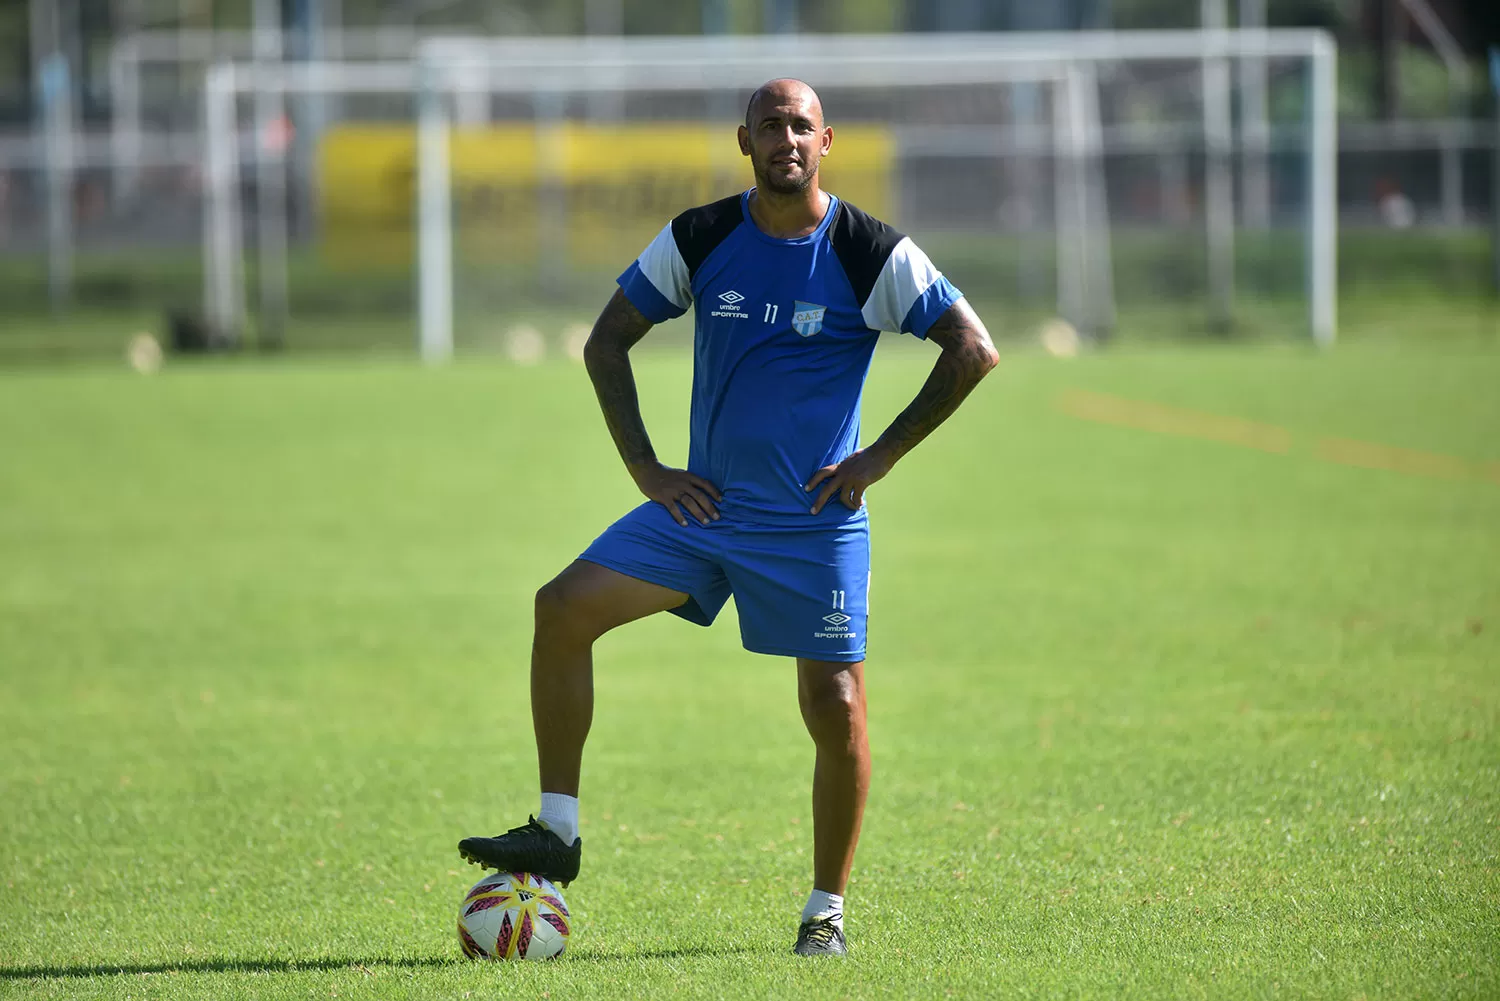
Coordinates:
[784,337]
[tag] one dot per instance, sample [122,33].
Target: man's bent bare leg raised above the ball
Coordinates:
[574,610]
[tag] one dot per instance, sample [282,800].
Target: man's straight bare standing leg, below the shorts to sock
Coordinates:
[832,697]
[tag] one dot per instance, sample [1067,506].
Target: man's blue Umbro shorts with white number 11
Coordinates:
[800,592]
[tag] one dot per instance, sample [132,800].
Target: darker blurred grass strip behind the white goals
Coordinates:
[1406,286]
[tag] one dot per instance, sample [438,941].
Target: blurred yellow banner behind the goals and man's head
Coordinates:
[589,194]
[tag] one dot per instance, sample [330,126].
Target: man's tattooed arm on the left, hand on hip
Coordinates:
[607,356]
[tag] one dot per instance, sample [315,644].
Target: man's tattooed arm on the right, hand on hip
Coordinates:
[967,358]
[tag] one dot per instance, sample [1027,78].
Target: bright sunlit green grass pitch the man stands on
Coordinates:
[1163,705]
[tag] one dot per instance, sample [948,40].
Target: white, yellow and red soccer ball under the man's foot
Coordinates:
[514,916]
